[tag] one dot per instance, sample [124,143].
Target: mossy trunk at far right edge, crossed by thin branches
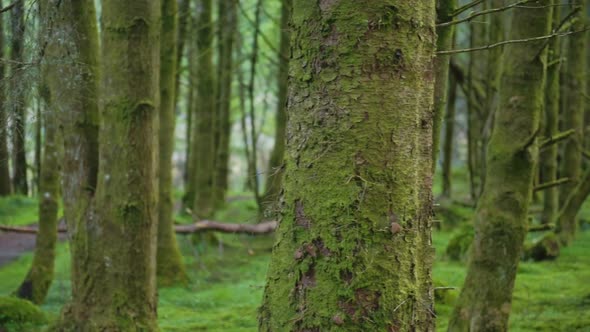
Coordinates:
[573,116]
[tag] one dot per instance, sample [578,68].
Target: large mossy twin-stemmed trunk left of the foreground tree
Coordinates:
[110,211]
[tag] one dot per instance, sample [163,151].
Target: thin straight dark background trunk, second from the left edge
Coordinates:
[18,99]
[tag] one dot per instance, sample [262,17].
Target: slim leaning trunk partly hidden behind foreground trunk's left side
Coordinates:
[274,179]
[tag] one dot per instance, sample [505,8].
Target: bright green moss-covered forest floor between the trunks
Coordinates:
[228,276]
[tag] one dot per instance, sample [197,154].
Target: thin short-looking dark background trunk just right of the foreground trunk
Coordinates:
[449,138]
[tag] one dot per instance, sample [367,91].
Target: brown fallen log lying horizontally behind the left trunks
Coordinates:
[266,227]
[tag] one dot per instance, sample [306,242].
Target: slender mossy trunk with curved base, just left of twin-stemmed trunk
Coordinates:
[36,284]
